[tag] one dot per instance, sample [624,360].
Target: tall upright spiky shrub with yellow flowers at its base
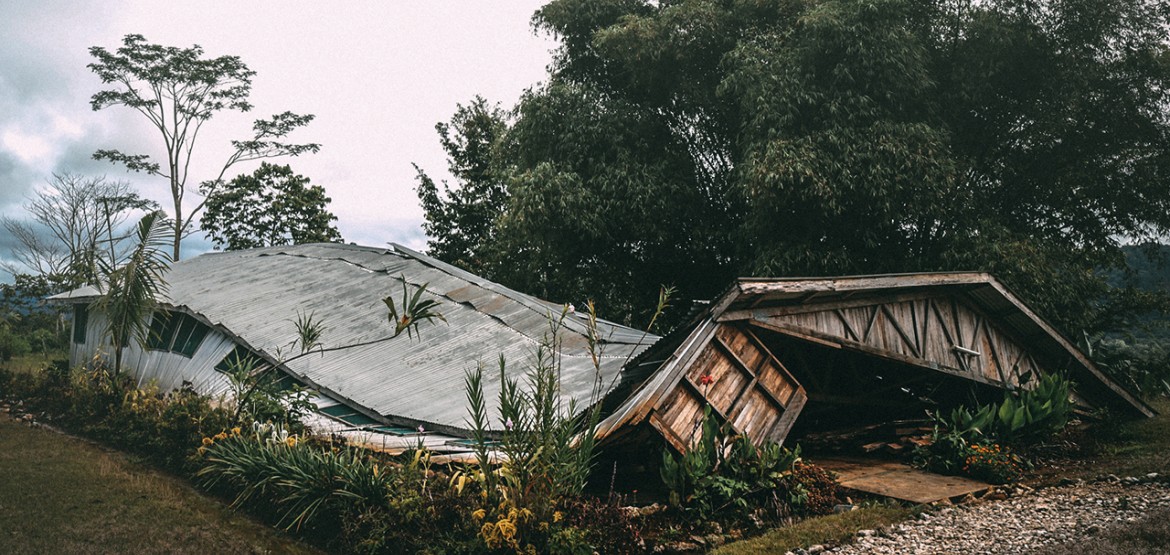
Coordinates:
[547,448]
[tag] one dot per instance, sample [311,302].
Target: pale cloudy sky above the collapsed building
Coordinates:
[378,76]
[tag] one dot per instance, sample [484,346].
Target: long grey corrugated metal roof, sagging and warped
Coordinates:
[257,296]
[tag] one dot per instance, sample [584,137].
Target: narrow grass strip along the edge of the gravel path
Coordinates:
[835,529]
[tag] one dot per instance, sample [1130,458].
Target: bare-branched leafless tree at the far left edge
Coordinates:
[75,221]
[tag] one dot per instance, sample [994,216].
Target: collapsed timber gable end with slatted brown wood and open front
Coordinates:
[767,347]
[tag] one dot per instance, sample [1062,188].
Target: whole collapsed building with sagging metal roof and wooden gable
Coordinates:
[772,358]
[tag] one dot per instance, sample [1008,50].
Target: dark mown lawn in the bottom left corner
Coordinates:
[60,495]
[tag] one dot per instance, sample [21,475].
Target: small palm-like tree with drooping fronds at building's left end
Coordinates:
[130,292]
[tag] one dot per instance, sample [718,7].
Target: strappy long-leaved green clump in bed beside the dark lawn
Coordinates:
[378,504]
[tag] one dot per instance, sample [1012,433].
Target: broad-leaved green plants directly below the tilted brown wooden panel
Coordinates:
[725,475]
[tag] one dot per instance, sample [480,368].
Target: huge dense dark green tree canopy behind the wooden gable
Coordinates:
[691,141]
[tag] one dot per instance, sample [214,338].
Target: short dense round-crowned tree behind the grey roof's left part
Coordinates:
[272,207]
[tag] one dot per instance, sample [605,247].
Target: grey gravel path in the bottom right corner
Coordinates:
[1026,523]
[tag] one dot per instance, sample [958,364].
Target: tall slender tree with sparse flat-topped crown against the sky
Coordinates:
[178,91]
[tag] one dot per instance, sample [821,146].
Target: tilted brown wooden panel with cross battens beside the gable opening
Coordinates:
[744,383]
